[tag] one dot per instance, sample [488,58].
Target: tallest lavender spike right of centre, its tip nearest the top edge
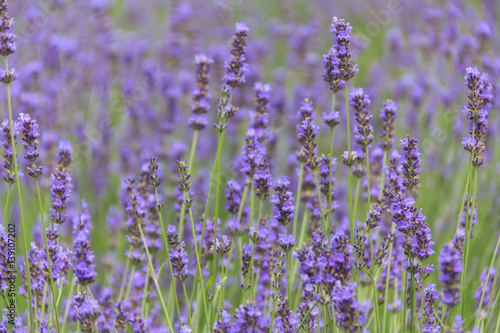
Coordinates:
[342,44]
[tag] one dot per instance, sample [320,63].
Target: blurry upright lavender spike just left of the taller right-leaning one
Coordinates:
[200,94]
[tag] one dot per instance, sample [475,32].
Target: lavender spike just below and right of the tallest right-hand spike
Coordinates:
[359,100]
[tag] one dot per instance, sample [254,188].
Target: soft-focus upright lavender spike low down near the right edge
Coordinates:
[450,267]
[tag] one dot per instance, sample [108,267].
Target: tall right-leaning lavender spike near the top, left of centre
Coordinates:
[235,66]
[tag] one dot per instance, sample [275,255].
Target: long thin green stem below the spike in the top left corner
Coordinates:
[20,203]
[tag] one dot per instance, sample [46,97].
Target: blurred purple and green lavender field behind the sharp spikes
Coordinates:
[114,78]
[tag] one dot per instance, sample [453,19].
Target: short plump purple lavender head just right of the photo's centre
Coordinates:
[283,209]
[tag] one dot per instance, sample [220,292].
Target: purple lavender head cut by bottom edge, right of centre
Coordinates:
[349,314]
